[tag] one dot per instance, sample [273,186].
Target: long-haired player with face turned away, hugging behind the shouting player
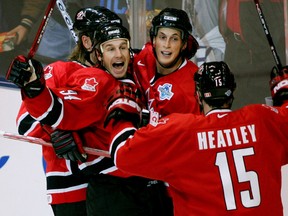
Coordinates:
[66,184]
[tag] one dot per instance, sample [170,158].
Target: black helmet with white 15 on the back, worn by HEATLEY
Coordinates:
[215,83]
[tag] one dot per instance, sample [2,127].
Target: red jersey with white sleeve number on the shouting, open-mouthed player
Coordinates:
[80,105]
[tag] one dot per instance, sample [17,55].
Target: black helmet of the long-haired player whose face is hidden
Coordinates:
[88,19]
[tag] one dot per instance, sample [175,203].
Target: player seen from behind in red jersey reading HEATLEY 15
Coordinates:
[227,160]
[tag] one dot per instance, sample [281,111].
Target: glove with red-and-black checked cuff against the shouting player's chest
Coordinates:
[124,104]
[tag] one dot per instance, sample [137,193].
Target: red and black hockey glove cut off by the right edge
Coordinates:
[279,85]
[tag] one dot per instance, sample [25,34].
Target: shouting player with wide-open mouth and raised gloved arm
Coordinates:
[81,106]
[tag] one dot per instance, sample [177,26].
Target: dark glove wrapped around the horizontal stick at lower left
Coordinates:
[68,145]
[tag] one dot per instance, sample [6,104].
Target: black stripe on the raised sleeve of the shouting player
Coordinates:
[55,114]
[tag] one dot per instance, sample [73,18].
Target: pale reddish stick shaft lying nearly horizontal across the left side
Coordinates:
[39,141]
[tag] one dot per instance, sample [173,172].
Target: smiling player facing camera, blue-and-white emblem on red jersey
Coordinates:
[163,68]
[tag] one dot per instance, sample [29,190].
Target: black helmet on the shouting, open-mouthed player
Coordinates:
[110,32]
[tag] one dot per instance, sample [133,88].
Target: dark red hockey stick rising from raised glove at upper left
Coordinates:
[41,29]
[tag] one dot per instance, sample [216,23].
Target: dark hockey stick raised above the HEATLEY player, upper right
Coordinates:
[268,35]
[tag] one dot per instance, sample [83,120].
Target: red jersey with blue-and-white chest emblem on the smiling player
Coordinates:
[175,92]
